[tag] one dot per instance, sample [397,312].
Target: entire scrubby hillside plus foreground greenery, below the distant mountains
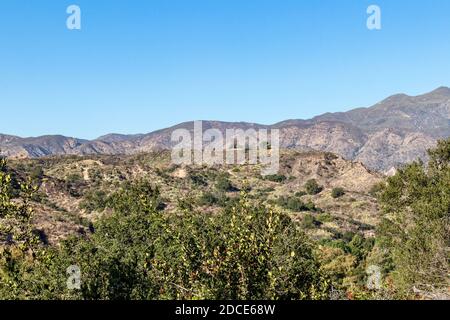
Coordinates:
[322,218]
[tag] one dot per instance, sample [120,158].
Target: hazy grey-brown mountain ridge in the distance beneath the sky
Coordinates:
[395,131]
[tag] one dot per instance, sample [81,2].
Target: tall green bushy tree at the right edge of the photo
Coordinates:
[415,232]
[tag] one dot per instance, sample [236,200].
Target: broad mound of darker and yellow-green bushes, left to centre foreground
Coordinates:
[245,252]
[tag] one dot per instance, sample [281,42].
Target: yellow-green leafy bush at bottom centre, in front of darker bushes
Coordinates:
[244,253]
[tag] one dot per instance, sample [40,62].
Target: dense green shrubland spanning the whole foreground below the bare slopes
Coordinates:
[247,249]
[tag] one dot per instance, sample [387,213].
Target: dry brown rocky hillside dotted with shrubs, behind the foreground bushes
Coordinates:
[74,190]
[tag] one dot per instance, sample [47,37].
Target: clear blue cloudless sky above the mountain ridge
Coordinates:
[137,66]
